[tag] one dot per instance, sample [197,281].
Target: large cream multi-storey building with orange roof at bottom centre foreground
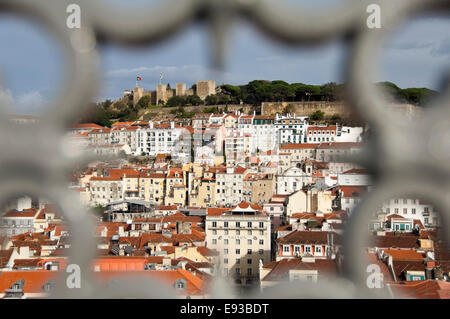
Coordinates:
[242,236]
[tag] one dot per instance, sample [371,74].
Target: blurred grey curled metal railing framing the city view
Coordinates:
[34,159]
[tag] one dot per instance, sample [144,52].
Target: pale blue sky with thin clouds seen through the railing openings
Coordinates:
[32,65]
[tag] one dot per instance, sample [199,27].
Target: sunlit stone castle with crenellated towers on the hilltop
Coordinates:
[163,93]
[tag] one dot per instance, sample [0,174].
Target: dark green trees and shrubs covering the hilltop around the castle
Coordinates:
[252,93]
